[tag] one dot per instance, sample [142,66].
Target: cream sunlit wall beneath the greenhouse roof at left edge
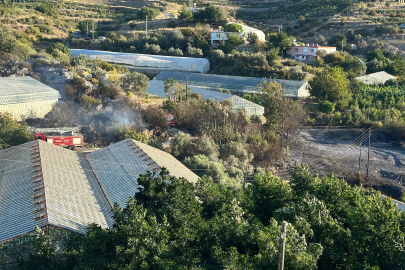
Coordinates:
[22,111]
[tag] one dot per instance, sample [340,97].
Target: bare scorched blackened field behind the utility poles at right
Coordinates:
[337,151]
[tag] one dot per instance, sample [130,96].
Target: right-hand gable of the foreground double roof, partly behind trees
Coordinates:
[120,164]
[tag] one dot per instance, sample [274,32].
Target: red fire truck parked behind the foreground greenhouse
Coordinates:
[65,137]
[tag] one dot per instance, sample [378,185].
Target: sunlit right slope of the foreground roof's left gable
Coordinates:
[74,198]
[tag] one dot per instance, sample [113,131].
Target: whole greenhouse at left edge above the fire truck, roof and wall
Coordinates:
[25,97]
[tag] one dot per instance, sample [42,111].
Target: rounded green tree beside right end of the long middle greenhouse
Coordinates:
[331,84]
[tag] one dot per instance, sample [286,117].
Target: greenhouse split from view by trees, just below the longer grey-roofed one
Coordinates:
[156,87]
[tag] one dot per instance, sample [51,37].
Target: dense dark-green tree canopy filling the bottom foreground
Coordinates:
[173,224]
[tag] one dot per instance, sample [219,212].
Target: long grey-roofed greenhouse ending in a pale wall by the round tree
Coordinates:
[235,84]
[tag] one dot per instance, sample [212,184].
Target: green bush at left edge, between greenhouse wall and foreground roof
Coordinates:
[11,132]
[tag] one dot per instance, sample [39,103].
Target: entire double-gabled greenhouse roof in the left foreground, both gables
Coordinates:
[44,184]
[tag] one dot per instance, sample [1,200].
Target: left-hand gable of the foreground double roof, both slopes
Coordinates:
[42,184]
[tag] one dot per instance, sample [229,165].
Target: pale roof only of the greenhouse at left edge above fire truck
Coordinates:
[24,89]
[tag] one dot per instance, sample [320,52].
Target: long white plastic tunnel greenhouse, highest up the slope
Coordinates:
[148,61]
